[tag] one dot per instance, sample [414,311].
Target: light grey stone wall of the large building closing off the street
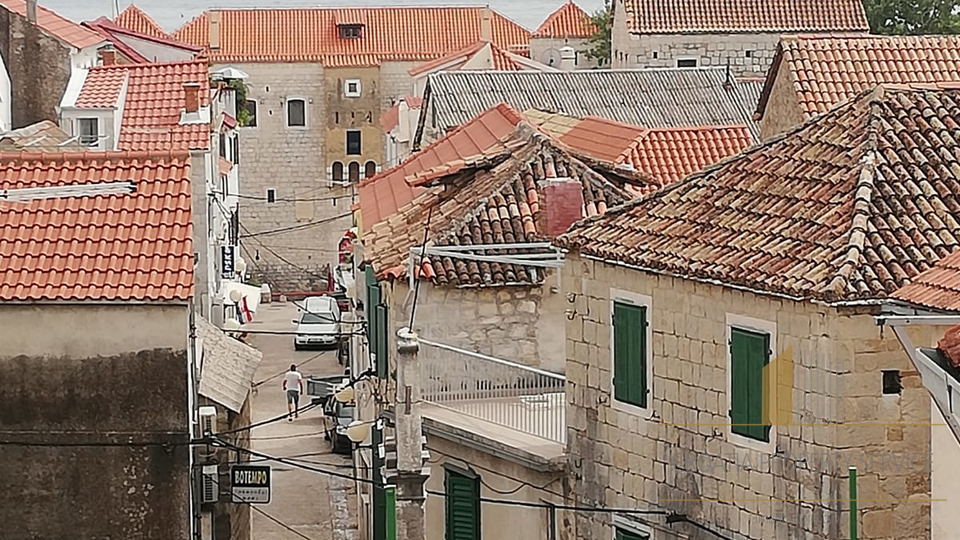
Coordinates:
[306,221]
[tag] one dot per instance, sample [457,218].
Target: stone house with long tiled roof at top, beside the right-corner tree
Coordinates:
[741,35]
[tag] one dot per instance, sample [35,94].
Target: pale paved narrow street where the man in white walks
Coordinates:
[317,506]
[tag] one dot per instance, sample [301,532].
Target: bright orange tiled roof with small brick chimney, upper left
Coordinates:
[154,102]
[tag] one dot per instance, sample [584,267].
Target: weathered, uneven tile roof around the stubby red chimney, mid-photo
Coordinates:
[495,200]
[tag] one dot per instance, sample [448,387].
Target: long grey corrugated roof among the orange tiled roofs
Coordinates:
[654,98]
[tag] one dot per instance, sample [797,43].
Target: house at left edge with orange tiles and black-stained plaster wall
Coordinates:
[100,440]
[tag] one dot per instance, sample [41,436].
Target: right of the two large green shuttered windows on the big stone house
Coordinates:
[749,353]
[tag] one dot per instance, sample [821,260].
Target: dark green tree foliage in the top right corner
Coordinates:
[913,17]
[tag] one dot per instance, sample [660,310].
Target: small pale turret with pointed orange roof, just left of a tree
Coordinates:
[568,27]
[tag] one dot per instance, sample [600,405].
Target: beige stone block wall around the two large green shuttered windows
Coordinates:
[678,454]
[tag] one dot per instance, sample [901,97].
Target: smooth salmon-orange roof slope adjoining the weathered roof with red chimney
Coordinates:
[383,194]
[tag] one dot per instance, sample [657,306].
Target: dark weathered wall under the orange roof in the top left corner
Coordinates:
[39,69]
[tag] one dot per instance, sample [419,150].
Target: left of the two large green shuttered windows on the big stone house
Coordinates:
[630,354]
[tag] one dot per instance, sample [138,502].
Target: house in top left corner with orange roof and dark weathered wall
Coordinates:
[39,51]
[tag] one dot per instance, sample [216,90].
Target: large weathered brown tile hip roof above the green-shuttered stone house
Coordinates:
[849,206]
